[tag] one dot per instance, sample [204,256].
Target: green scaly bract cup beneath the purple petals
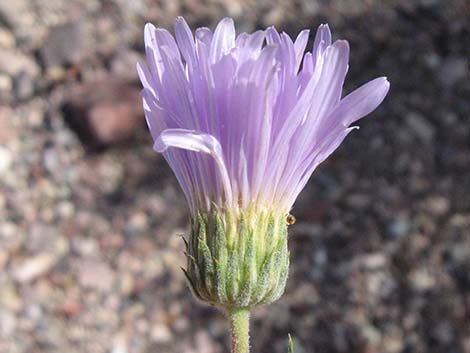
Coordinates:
[237,259]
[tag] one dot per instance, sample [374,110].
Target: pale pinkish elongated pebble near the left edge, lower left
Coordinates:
[34,267]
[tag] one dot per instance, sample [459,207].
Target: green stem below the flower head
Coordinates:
[239,329]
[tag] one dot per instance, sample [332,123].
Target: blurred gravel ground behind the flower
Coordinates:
[89,215]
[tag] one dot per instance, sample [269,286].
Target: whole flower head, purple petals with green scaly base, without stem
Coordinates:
[244,120]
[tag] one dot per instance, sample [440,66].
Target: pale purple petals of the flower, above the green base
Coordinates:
[244,120]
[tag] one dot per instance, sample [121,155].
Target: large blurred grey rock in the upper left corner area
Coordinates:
[63,46]
